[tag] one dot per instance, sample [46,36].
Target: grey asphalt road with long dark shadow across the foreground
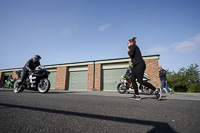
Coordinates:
[97,112]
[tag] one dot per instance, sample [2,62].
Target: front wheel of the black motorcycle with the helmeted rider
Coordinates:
[44,85]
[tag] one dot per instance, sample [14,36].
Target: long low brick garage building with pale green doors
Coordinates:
[97,75]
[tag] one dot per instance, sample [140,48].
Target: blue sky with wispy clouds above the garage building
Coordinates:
[65,31]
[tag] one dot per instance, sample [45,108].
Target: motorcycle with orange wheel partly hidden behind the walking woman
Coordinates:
[126,86]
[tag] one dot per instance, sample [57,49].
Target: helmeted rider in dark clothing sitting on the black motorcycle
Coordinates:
[29,67]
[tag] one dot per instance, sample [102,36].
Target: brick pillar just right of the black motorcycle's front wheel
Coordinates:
[61,78]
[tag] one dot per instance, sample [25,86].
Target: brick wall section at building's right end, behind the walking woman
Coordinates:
[153,71]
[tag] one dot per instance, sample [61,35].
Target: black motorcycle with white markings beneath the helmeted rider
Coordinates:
[37,80]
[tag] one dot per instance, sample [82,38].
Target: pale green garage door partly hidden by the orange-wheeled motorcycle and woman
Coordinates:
[111,78]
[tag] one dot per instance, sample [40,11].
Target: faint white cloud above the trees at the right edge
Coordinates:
[188,45]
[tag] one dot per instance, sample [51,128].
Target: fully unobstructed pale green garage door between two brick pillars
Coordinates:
[78,80]
